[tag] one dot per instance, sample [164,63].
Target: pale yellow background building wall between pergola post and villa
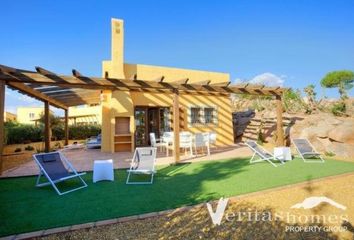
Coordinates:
[86,114]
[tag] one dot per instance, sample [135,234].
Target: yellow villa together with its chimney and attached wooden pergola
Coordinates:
[136,100]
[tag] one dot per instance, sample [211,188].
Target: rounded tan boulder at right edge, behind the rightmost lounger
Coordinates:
[343,133]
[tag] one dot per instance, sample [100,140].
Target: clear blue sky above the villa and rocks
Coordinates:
[296,42]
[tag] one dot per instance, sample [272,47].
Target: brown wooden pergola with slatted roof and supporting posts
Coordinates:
[64,91]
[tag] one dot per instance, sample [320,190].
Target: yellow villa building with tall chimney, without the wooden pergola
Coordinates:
[129,112]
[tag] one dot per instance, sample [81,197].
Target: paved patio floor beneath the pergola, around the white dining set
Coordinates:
[82,159]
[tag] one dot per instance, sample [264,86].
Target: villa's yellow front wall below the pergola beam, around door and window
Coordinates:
[123,103]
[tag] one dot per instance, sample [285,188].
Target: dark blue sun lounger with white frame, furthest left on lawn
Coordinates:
[56,168]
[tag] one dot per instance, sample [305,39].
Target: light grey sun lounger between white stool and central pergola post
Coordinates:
[143,162]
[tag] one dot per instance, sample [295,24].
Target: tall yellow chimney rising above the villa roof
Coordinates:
[117,51]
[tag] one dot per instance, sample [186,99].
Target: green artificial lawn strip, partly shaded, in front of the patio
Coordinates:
[24,208]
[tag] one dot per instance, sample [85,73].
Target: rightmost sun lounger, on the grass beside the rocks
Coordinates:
[307,152]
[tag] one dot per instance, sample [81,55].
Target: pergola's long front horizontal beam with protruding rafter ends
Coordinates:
[51,79]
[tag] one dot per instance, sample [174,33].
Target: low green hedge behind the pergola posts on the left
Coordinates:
[25,133]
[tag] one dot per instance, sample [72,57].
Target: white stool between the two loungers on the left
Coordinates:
[103,170]
